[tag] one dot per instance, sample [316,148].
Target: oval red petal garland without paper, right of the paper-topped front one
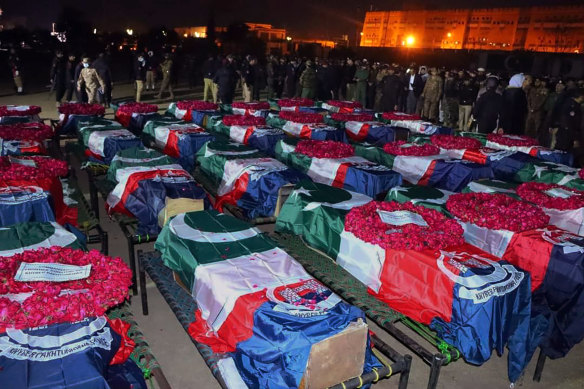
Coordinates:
[496,211]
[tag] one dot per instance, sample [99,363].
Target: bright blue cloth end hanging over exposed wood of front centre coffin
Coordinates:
[277,353]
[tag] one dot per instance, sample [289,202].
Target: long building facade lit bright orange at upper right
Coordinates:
[547,29]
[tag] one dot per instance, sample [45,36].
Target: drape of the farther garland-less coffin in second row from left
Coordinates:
[102,144]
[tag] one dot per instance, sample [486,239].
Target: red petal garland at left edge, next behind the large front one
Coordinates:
[45,167]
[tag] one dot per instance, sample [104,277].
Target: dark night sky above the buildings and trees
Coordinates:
[302,18]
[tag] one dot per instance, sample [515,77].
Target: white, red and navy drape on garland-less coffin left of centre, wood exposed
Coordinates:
[142,191]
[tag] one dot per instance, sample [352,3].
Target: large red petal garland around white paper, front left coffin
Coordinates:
[58,302]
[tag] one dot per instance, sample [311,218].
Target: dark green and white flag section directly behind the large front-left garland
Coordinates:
[17,238]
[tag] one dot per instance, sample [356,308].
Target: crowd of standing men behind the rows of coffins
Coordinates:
[466,100]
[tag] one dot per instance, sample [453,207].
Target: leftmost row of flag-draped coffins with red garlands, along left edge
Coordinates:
[54,294]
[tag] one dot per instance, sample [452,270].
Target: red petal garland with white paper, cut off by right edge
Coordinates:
[535,193]
